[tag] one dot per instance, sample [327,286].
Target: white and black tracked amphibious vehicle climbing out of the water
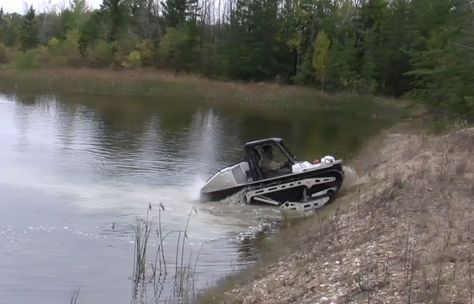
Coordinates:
[270,174]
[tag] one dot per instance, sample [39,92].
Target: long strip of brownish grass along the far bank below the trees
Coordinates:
[148,82]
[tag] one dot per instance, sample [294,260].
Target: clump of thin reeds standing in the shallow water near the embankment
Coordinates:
[153,272]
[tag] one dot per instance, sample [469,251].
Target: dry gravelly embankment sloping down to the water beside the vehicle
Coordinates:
[404,235]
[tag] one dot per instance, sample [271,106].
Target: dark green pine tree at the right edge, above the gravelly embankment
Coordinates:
[442,65]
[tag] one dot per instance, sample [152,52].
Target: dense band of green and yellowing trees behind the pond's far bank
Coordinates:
[424,48]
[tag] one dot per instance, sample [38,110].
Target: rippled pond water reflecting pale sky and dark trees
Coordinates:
[76,172]
